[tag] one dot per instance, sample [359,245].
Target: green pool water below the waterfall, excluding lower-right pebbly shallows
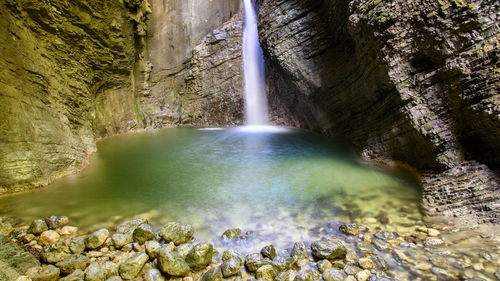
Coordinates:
[278,183]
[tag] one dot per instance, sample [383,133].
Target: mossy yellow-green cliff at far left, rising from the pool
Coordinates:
[62,62]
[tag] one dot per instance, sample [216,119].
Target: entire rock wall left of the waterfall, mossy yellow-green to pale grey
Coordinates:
[75,71]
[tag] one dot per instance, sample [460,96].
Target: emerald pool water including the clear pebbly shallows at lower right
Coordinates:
[279,186]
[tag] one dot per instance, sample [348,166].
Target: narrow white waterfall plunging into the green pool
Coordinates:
[253,70]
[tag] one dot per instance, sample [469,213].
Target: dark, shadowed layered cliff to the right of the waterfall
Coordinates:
[411,81]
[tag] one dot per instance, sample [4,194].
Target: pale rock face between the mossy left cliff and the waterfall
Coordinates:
[194,52]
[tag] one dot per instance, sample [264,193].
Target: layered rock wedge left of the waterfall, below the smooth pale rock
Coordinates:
[205,90]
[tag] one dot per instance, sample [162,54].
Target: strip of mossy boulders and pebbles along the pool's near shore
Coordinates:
[51,249]
